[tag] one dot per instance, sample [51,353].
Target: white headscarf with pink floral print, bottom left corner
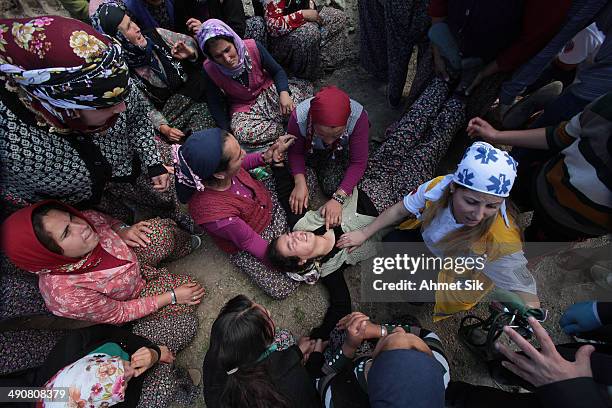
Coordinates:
[96,380]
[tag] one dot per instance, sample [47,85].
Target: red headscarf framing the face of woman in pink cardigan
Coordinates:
[21,246]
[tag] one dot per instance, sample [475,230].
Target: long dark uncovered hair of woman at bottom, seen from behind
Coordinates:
[239,336]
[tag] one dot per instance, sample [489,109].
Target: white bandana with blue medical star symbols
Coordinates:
[489,170]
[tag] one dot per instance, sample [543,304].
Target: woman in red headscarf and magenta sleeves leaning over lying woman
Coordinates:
[332,138]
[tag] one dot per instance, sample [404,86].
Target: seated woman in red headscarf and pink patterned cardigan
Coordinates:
[92,267]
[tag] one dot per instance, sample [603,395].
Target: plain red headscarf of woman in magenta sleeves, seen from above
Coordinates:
[330,107]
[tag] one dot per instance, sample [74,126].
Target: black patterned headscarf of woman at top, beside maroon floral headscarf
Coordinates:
[106,20]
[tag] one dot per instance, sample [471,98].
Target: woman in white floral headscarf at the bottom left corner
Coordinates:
[106,364]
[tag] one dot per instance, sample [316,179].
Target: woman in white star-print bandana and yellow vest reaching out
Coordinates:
[464,213]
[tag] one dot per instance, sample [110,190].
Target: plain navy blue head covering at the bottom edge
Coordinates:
[406,378]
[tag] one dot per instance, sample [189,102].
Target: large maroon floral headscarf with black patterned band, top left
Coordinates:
[61,64]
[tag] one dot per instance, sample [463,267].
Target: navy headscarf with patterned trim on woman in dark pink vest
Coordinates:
[196,160]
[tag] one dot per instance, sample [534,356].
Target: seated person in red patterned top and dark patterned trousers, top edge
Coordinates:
[302,39]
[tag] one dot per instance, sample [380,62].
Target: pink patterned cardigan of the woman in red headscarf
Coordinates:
[108,296]
